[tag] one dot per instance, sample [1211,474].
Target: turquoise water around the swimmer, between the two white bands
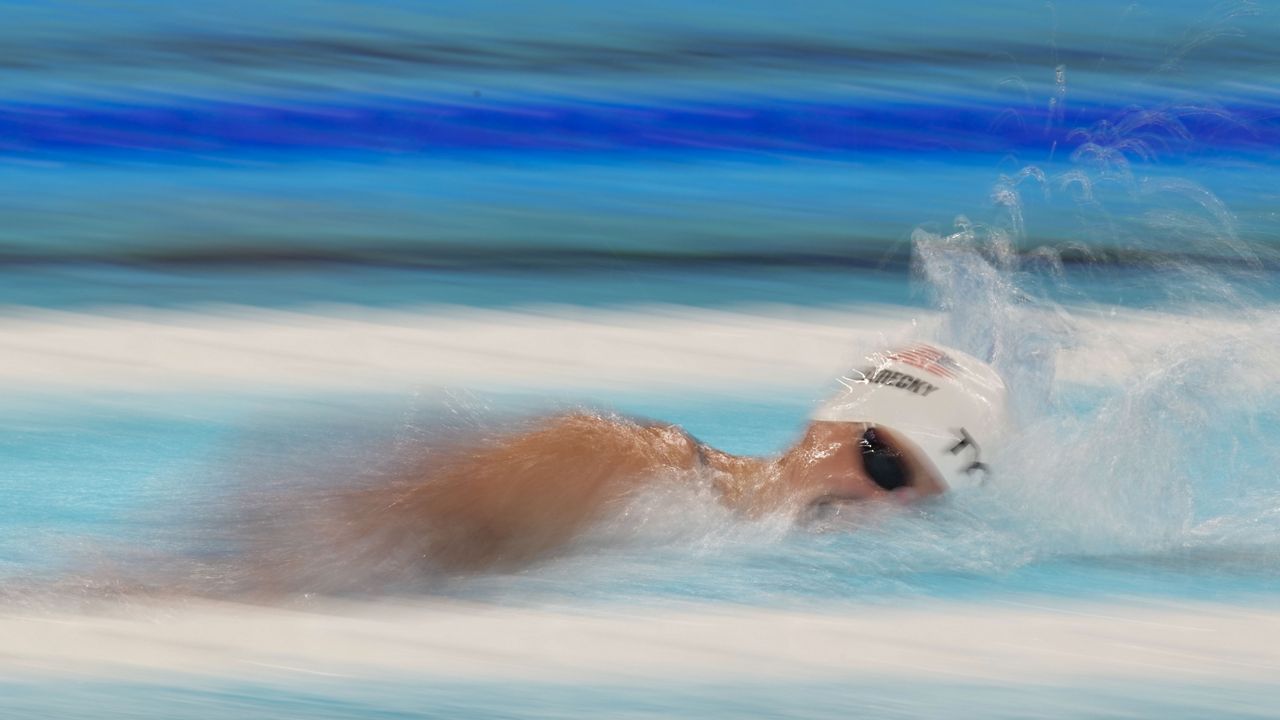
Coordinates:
[94,485]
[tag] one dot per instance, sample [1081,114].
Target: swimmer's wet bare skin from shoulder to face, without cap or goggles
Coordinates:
[505,503]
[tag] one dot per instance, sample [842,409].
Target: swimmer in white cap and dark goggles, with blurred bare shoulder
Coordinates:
[906,425]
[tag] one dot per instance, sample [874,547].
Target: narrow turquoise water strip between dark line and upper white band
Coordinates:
[98,288]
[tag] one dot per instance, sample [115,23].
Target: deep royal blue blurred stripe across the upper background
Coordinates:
[758,126]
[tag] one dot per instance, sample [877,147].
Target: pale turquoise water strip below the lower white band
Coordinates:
[783,700]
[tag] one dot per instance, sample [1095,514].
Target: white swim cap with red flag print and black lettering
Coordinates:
[950,405]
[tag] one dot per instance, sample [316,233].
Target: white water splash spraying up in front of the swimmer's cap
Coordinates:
[1167,443]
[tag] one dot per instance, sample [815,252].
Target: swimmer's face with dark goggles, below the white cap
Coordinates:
[854,463]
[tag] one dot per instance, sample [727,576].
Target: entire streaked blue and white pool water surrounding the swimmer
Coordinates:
[254,252]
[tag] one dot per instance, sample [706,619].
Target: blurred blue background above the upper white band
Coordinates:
[317,152]
